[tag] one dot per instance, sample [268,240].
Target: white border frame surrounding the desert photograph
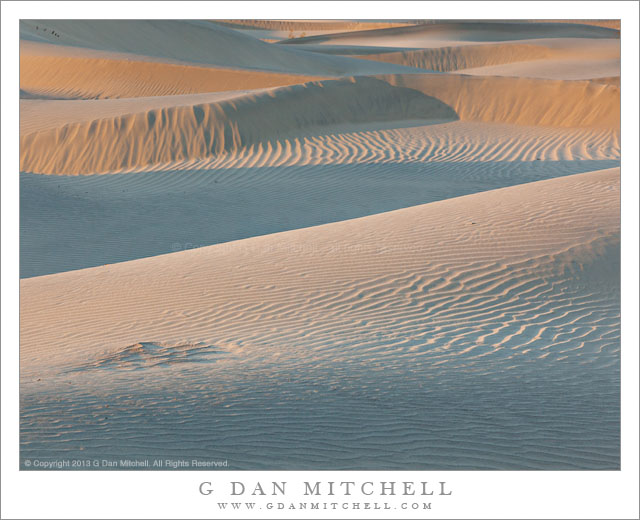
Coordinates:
[175,494]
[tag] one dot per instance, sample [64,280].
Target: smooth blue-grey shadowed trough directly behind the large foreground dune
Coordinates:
[69,223]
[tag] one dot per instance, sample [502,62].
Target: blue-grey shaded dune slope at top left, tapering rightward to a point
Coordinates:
[194,42]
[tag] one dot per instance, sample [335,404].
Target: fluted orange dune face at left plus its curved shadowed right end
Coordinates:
[178,133]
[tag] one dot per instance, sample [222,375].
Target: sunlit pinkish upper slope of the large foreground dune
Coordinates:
[355,266]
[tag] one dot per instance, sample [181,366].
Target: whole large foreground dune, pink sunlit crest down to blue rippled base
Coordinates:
[422,308]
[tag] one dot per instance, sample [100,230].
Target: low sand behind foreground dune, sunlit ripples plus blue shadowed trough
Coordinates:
[301,181]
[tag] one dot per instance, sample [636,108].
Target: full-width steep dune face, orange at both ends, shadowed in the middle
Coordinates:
[179,133]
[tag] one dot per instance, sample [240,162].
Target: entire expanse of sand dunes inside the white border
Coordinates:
[387,245]
